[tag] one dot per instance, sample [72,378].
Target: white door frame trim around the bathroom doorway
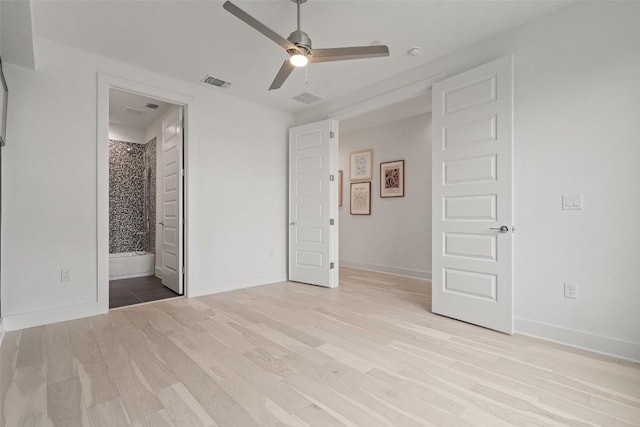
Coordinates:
[106,82]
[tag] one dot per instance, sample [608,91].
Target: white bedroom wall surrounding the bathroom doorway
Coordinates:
[237,181]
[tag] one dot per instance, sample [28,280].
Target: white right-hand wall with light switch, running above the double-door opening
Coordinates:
[576,105]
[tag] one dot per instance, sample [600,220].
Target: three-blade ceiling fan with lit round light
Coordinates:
[298,46]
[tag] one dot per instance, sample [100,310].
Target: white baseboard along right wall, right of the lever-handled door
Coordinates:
[579,339]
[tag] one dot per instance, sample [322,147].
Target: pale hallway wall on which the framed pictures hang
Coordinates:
[396,237]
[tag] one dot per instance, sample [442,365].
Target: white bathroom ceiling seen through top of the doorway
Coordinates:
[130,109]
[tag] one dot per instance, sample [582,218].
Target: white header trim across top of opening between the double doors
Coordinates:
[391,97]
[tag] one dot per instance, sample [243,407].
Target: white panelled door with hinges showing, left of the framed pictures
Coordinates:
[313,204]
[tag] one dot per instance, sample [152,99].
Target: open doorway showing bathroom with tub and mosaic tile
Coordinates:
[145,199]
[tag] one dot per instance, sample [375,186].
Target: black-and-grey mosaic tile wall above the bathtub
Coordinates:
[126,197]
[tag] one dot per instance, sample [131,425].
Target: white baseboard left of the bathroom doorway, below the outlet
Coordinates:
[45,317]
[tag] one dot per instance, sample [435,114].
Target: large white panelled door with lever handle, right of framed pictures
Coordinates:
[472,196]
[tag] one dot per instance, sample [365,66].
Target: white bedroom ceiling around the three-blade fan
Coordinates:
[190,39]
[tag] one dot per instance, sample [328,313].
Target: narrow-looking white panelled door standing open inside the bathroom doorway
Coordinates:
[171,224]
